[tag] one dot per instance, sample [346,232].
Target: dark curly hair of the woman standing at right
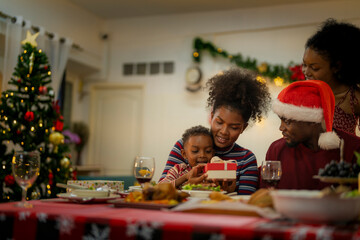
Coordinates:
[339,43]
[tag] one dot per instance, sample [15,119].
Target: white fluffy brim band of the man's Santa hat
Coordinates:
[298,113]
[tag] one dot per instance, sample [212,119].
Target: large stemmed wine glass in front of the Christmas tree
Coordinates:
[25,168]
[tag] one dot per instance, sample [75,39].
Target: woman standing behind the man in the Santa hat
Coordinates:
[332,55]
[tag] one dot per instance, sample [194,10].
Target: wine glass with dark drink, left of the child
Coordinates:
[144,168]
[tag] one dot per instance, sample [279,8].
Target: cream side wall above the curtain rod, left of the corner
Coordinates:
[61,17]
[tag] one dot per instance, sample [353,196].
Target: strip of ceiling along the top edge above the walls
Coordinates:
[119,9]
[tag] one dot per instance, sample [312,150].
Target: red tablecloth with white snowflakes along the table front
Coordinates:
[63,220]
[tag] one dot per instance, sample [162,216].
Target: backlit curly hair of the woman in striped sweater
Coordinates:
[238,88]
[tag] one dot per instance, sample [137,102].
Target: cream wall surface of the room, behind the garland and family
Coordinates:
[273,34]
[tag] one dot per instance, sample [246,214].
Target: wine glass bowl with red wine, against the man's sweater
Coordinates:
[271,173]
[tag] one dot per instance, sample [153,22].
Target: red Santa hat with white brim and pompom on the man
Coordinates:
[309,101]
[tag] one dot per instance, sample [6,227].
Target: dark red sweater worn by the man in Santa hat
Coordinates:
[299,164]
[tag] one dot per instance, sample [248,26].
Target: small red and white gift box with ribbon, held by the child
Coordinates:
[221,170]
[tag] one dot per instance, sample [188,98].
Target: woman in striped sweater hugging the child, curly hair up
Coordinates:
[235,99]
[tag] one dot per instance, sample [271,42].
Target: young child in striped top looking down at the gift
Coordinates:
[198,150]
